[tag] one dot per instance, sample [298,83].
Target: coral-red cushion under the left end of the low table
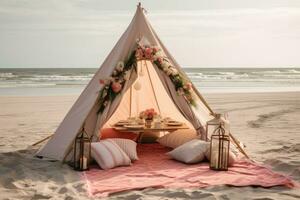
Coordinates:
[112,133]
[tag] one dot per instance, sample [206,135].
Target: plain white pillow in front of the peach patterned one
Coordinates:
[190,152]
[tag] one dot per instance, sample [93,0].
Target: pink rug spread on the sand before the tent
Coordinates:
[155,169]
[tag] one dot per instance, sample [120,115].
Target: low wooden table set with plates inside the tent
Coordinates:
[142,130]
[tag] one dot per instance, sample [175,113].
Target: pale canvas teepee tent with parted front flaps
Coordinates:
[156,91]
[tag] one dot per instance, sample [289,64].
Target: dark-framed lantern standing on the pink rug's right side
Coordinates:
[219,149]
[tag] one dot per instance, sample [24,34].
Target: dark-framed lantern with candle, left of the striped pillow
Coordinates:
[82,151]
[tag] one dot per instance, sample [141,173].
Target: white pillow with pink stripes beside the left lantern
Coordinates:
[108,154]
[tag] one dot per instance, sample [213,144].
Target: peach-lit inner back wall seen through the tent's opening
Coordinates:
[146,92]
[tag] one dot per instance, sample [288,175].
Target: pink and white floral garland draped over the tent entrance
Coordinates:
[115,83]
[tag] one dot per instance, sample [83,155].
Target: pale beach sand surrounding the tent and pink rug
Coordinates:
[267,123]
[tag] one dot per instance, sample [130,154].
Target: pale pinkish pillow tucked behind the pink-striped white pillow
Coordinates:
[128,146]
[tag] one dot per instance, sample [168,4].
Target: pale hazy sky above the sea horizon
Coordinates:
[206,33]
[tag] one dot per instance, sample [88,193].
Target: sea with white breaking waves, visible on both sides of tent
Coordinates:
[71,81]
